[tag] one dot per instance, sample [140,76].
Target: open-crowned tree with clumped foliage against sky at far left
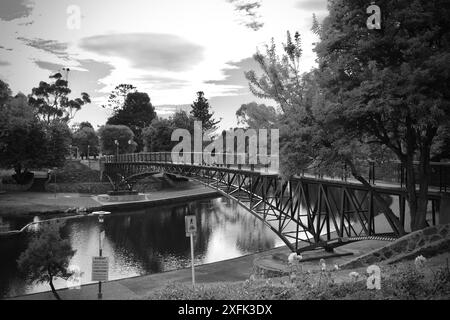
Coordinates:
[51,100]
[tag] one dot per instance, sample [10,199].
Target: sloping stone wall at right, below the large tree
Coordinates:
[427,242]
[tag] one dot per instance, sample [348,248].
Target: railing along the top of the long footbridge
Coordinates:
[388,172]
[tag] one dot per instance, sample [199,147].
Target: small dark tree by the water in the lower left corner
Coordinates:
[47,256]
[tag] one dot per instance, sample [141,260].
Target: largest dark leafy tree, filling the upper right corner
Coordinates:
[390,87]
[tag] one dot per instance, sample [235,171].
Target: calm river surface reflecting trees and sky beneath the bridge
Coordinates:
[147,241]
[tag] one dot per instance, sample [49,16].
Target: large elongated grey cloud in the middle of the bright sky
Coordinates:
[153,51]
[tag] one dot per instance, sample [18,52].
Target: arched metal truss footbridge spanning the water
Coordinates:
[306,211]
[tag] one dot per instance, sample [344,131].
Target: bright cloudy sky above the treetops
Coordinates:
[168,48]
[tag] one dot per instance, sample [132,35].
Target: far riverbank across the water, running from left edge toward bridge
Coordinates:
[15,204]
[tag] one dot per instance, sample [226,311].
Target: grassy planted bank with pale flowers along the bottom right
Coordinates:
[401,281]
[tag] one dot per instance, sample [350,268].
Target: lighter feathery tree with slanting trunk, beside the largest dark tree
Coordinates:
[307,139]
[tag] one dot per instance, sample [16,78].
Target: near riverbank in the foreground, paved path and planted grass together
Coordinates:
[232,279]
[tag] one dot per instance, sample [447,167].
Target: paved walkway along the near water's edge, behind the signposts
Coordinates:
[233,270]
